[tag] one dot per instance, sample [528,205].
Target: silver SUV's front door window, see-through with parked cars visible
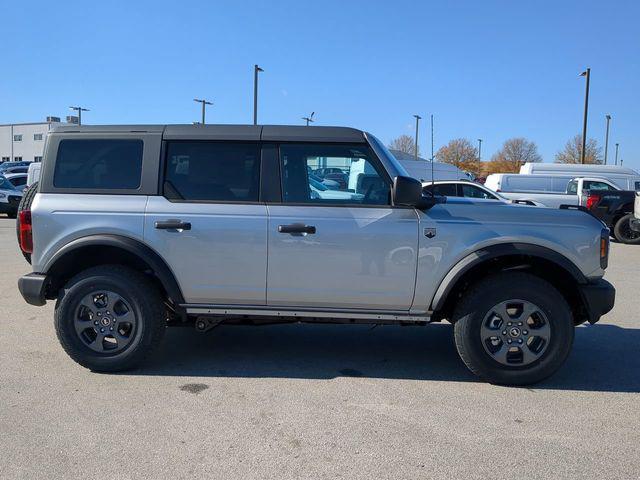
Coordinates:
[348,175]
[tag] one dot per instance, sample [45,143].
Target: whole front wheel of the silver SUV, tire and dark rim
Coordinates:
[513,329]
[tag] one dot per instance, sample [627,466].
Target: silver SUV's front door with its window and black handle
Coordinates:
[339,244]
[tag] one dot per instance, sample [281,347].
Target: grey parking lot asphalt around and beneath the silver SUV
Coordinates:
[315,401]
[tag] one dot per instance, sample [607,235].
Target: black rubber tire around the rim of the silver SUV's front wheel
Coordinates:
[471,314]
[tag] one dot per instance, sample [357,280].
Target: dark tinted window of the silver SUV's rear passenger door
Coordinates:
[209,171]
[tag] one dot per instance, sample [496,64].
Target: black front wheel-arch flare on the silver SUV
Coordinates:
[500,250]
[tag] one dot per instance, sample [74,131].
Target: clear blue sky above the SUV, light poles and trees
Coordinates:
[489,70]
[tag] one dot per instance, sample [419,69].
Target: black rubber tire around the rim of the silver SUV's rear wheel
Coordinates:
[141,297]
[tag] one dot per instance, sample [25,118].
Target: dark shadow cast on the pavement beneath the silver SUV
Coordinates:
[604,358]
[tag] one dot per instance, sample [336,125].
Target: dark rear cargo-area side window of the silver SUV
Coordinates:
[98,164]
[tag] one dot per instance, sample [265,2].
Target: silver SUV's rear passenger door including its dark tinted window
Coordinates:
[209,224]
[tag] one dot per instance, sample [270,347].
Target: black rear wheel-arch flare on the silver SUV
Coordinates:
[160,269]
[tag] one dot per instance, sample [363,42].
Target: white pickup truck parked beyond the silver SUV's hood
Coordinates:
[572,196]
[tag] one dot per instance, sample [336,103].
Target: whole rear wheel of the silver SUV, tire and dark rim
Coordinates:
[109,318]
